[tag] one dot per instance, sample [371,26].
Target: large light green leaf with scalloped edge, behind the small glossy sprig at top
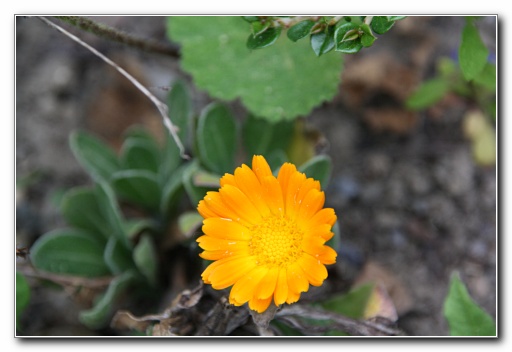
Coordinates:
[283,81]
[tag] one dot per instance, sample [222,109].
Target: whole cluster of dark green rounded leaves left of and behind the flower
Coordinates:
[116,227]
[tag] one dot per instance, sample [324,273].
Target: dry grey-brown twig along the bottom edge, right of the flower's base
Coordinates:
[351,326]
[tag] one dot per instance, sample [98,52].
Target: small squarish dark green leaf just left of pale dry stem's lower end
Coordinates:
[140,154]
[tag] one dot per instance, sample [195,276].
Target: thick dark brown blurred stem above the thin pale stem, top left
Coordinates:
[110,33]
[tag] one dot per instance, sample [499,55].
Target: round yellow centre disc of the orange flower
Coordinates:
[276,241]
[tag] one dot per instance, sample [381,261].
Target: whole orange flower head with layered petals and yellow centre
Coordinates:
[266,235]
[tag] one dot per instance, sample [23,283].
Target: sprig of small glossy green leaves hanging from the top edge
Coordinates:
[346,34]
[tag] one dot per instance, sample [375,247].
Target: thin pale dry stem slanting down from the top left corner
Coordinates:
[162,108]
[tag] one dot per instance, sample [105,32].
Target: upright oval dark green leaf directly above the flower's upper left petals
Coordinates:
[216,138]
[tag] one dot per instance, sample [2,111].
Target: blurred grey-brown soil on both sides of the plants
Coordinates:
[413,206]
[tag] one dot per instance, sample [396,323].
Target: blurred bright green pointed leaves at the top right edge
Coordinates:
[474,77]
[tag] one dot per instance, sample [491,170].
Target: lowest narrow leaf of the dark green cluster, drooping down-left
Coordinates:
[100,315]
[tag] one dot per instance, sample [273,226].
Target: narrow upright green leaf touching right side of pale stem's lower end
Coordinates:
[180,113]
